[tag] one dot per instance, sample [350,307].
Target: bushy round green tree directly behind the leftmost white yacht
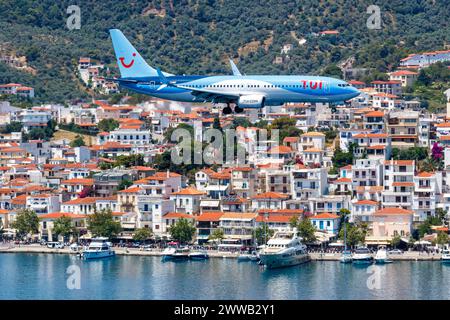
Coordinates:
[102,224]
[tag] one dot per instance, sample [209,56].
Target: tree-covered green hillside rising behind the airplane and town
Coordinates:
[198,36]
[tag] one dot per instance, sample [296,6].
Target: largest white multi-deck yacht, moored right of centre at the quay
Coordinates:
[284,249]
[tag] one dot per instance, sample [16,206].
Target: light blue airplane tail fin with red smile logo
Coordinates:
[131,63]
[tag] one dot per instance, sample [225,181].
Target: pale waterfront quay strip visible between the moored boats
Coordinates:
[406,256]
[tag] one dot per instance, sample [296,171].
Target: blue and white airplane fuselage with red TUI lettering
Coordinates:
[275,89]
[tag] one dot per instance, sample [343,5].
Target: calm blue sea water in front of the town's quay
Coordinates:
[43,276]
